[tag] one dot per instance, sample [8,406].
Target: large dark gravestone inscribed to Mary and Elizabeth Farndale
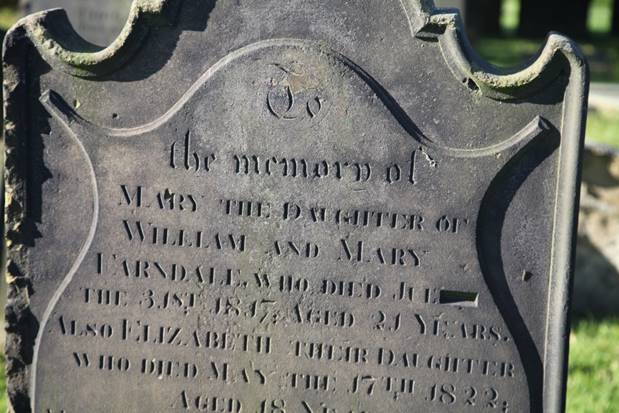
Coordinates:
[287,206]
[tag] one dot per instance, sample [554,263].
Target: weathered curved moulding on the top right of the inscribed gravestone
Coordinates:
[559,54]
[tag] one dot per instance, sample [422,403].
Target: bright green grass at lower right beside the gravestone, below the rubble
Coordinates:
[593,385]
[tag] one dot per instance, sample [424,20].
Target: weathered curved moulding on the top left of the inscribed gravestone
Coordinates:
[72,54]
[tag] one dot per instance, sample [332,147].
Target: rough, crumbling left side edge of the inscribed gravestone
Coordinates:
[18,321]
